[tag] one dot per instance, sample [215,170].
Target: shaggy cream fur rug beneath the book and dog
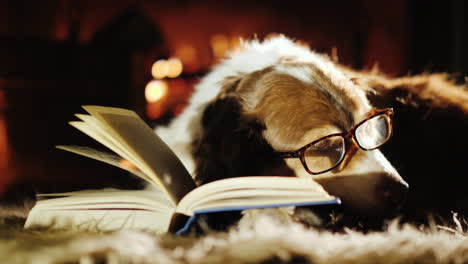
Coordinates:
[259,239]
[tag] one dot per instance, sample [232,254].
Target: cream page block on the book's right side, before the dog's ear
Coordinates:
[253,191]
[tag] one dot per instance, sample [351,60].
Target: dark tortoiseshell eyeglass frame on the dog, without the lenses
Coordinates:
[299,153]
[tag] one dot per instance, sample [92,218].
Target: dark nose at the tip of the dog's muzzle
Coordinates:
[392,192]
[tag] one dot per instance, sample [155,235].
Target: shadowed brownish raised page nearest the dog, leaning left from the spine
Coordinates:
[155,158]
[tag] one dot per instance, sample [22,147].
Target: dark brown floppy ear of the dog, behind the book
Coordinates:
[231,144]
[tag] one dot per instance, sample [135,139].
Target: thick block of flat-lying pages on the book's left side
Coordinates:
[103,210]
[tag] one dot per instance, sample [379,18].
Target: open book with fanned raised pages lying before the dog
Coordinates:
[174,200]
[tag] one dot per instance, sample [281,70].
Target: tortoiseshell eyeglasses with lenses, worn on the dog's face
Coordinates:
[326,153]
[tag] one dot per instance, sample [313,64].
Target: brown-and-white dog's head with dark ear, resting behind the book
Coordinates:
[282,107]
